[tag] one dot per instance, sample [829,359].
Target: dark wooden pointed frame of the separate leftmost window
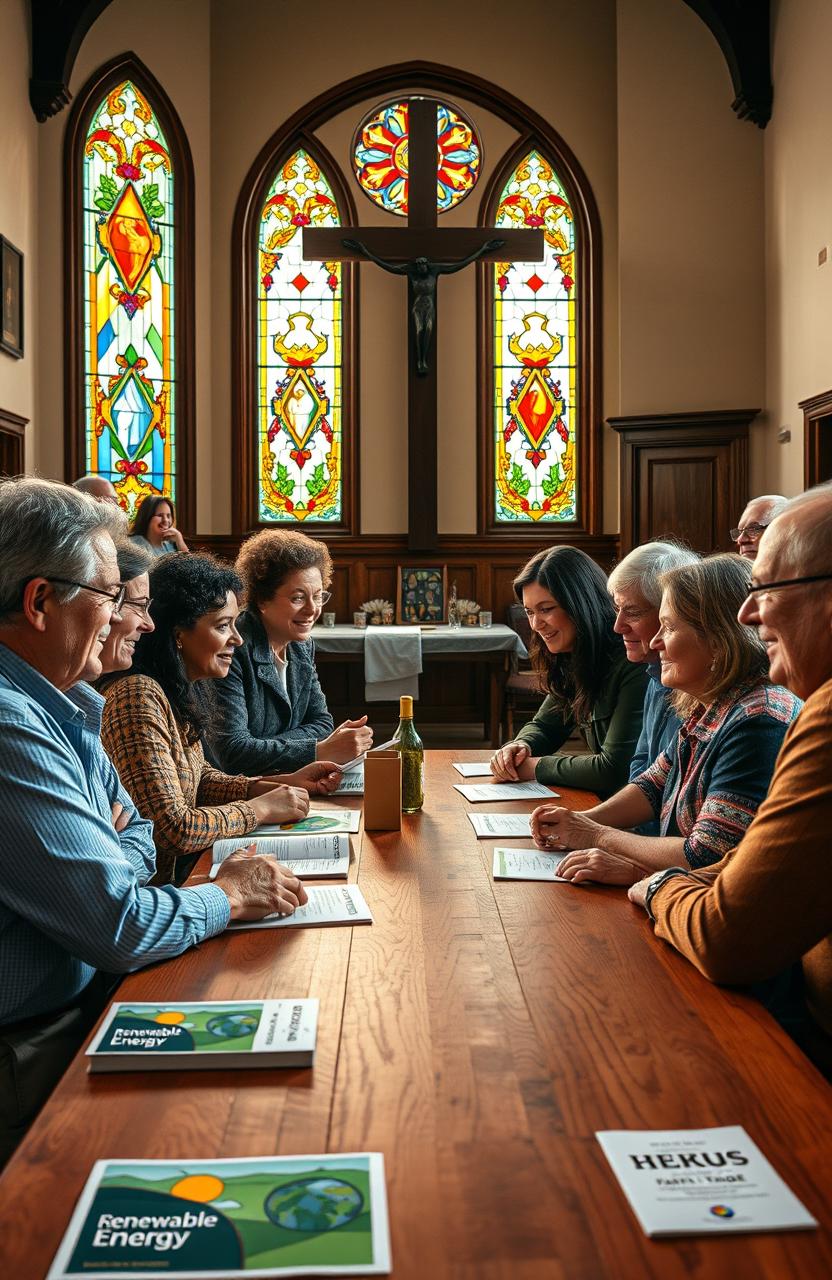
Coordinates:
[88,103]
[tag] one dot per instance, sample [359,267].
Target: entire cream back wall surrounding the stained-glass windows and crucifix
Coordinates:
[639,92]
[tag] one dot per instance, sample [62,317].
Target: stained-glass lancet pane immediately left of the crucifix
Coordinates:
[300,344]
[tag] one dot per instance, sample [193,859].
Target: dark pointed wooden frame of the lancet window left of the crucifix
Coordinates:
[245,426]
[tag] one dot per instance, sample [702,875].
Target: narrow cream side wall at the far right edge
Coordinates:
[798,226]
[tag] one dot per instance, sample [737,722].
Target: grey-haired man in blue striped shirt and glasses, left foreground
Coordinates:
[76,857]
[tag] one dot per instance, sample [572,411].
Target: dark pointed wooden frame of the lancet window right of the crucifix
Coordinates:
[588,317]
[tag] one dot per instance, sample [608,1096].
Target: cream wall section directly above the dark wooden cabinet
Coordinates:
[691,196]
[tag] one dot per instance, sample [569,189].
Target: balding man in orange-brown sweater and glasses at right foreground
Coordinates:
[769,903]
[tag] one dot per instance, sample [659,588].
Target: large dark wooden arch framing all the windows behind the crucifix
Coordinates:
[300,131]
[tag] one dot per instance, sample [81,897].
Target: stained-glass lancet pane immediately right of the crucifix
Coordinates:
[536,356]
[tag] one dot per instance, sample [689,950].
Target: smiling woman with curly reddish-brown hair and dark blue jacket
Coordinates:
[272,712]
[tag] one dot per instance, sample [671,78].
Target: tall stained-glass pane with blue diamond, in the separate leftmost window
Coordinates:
[129,292]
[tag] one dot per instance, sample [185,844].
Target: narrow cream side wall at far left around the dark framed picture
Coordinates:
[19,198]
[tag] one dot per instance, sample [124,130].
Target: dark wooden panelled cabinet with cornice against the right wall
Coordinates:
[684,476]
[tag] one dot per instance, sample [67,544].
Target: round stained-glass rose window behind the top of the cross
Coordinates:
[380,157]
